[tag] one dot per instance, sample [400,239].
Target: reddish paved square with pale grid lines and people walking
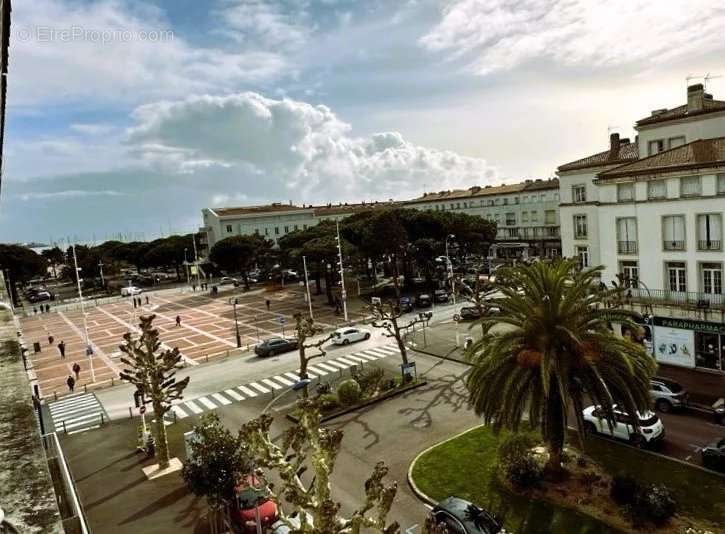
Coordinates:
[207,330]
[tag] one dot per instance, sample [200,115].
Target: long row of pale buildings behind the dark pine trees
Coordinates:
[526,212]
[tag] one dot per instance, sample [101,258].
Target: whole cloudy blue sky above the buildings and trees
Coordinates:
[127,117]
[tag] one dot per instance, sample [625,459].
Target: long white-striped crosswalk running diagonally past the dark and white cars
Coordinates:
[279,382]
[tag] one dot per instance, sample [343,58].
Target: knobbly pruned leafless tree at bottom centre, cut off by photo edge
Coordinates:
[307,446]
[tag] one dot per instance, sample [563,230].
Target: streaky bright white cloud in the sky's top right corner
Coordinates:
[496,35]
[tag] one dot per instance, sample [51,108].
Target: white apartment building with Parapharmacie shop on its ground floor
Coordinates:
[651,212]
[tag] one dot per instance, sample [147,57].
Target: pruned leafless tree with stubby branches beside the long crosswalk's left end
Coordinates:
[153,373]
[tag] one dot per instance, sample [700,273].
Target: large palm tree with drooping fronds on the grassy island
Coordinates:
[554,346]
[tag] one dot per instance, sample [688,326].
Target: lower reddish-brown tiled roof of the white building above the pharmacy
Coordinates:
[694,155]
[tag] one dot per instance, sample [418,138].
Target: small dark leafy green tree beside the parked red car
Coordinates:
[217,463]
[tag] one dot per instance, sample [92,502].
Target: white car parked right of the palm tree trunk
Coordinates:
[650,432]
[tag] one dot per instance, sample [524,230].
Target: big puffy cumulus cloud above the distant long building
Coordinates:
[292,148]
